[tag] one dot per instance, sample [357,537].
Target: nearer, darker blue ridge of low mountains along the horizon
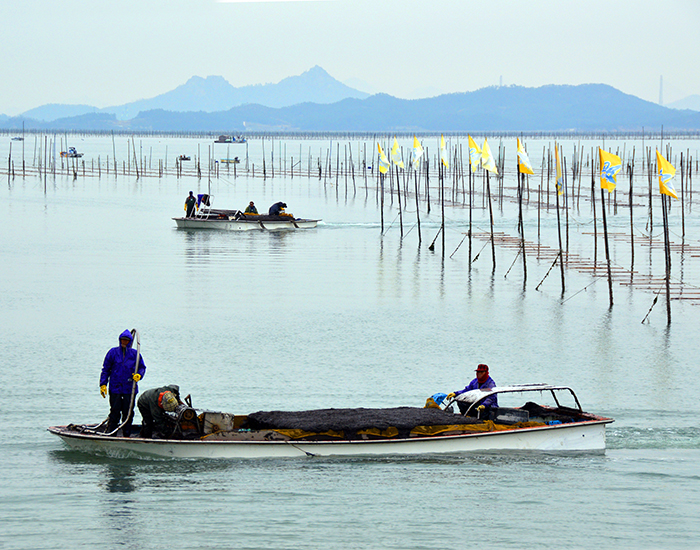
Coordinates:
[584,108]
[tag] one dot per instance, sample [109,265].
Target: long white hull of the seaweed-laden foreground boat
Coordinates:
[579,436]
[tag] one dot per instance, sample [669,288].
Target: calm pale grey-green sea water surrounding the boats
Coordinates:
[337,316]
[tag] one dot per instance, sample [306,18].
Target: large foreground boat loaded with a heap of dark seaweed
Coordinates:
[363,432]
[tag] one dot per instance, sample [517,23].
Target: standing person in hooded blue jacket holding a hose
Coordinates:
[119,369]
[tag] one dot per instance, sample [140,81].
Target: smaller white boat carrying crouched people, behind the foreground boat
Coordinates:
[207,217]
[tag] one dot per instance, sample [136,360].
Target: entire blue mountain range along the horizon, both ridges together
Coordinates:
[316,102]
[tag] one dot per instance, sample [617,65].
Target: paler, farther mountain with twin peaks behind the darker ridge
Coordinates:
[215,93]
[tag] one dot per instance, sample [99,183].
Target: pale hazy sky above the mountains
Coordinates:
[106,53]
